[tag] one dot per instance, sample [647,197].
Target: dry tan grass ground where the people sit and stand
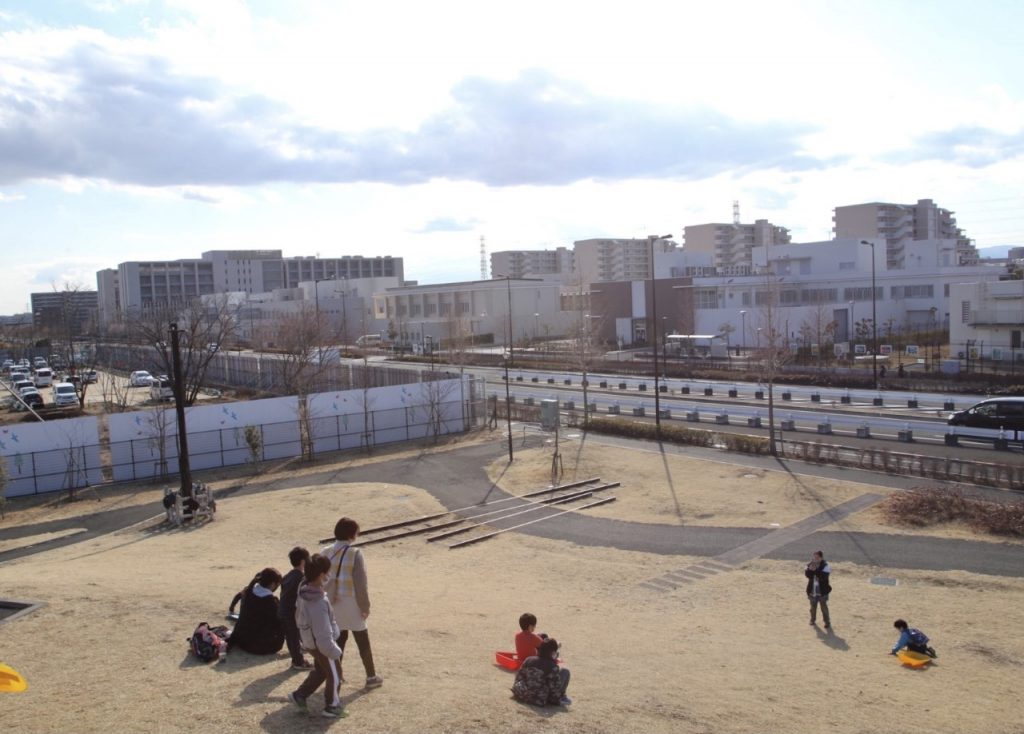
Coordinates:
[730,654]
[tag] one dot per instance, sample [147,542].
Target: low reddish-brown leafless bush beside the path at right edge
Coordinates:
[922,508]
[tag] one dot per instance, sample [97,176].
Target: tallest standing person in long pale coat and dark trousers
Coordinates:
[349,592]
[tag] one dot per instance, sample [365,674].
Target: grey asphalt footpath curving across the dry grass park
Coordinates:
[457,480]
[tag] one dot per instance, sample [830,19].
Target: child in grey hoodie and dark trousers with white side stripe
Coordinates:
[318,633]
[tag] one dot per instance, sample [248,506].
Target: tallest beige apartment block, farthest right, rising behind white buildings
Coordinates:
[900,225]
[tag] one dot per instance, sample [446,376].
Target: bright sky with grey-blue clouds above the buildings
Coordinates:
[153,131]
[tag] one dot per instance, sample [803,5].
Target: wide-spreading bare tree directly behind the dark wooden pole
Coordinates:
[204,325]
